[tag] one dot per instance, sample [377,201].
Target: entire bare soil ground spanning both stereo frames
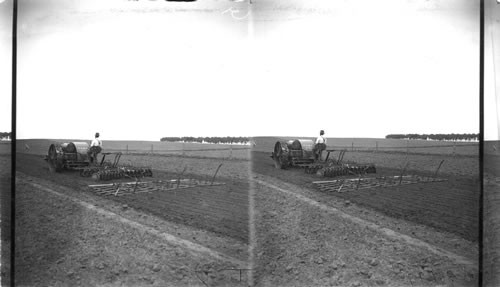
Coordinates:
[413,235]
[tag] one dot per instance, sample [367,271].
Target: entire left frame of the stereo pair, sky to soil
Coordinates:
[133,156]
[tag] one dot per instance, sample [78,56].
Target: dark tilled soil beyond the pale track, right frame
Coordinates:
[451,205]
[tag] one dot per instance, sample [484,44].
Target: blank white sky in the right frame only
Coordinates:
[370,68]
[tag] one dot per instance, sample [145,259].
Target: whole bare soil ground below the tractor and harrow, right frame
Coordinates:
[374,238]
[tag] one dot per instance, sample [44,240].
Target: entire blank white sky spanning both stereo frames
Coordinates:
[148,69]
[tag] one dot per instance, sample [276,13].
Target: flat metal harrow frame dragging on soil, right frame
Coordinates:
[351,184]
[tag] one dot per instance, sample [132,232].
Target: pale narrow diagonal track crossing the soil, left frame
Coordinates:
[194,248]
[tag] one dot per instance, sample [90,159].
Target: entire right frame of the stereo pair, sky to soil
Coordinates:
[365,167]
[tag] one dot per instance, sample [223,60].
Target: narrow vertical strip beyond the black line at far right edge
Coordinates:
[491,148]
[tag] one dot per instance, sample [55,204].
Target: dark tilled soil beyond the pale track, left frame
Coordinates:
[221,209]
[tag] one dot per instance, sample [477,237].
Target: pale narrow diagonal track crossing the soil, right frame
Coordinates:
[386,231]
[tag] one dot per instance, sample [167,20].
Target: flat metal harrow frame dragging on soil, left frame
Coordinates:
[125,188]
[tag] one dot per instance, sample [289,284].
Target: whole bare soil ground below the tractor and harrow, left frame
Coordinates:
[192,237]
